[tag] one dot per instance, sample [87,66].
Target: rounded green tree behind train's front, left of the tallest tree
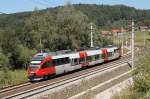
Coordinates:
[39,30]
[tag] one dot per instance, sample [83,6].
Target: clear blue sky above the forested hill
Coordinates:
[13,6]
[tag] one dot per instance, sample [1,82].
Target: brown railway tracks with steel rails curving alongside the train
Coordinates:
[26,88]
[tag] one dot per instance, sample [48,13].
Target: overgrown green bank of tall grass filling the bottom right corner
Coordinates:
[141,86]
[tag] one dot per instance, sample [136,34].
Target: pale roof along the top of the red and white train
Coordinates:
[72,54]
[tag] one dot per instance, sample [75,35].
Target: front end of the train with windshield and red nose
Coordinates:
[34,68]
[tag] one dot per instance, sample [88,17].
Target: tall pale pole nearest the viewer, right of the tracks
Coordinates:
[132,47]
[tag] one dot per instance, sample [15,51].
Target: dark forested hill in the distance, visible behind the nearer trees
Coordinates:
[101,15]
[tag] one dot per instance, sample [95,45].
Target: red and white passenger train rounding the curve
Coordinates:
[44,65]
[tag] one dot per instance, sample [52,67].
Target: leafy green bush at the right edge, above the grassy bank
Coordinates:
[142,72]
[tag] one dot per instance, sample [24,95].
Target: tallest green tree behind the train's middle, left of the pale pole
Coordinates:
[72,28]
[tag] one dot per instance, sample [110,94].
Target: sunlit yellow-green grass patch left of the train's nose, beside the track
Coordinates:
[12,77]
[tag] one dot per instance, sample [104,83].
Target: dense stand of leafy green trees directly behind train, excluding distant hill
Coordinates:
[68,29]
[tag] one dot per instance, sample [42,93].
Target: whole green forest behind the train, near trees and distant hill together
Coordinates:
[64,27]
